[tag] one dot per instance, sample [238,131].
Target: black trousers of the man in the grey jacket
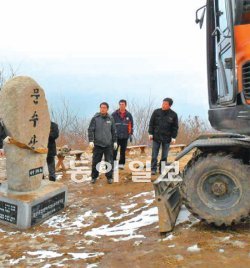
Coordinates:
[98,153]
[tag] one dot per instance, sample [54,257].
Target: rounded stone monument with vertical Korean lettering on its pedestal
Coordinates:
[26,199]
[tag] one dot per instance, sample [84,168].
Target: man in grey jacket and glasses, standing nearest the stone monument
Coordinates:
[103,139]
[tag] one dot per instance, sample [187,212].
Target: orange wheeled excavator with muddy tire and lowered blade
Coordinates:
[215,183]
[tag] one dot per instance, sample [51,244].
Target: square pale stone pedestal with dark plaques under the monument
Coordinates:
[25,209]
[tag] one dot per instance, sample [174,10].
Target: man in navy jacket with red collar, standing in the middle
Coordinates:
[124,126]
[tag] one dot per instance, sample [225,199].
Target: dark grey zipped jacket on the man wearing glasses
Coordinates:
[102,130]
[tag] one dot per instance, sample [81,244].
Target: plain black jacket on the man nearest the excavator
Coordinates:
[163,125]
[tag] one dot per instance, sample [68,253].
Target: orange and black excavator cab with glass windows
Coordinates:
[228,65]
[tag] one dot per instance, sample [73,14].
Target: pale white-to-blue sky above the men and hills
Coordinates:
[105,50]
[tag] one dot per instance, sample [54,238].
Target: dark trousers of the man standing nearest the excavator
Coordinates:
[155,152]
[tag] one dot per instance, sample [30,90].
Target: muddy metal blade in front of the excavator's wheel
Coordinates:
[168,200]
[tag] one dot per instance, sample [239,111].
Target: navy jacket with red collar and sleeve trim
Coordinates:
[122,125]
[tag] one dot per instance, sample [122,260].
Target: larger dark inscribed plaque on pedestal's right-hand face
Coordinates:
[47,208]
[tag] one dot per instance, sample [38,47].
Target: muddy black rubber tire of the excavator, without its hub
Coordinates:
[194,204]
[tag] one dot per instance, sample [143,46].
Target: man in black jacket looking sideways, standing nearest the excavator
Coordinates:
[163,129]
